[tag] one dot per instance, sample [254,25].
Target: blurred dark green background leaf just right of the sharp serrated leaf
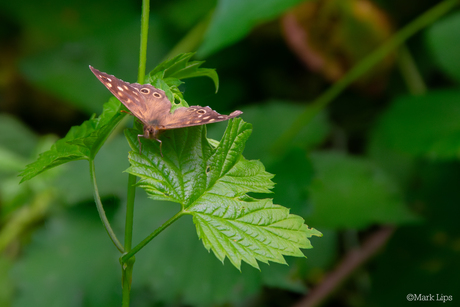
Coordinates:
[350,192]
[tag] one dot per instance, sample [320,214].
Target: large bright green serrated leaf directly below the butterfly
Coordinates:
[211,184]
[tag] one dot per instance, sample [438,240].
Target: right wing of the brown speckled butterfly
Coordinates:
[194,116]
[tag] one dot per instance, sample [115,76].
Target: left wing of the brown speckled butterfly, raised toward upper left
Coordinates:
[145,101]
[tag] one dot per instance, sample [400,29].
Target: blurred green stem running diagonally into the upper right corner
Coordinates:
[360,69]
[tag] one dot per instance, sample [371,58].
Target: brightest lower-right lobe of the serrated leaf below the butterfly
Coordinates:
[248,229]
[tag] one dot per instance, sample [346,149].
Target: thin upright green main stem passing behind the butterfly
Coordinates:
[127,268]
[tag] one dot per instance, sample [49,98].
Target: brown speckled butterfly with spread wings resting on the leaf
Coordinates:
[151,106]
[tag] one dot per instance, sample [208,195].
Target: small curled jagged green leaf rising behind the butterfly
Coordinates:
[180,67]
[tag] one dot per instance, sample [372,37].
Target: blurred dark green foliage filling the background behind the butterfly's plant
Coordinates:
[369,158]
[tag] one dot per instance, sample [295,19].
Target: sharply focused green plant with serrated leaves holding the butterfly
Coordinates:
[209,179]
